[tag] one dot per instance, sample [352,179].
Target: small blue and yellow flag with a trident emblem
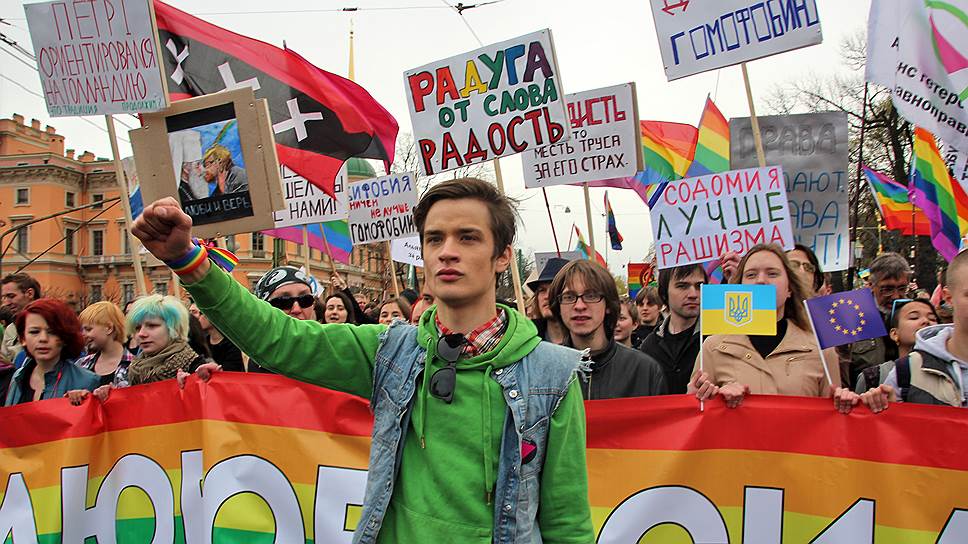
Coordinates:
[738,309]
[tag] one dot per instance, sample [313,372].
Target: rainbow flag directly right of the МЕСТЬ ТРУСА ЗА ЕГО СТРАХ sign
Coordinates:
[668,150]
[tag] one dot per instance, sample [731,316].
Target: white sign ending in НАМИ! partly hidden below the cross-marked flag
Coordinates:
[306,203]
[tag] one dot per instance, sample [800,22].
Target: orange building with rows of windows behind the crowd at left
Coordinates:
[84,255]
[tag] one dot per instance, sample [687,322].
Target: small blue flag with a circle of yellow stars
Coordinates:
[845,318]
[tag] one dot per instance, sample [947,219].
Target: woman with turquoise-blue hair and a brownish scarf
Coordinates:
[160,324]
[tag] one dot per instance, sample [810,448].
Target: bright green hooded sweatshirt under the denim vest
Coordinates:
[444,488]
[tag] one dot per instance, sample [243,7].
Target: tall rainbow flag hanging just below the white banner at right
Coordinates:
[941,197]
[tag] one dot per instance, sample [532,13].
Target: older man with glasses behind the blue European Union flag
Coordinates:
[890,275]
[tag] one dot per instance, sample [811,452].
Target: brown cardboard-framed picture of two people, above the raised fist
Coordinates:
[215,155]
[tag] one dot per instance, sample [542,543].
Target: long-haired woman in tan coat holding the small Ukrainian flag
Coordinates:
[788,363]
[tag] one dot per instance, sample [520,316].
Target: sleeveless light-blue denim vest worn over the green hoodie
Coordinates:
[533,388]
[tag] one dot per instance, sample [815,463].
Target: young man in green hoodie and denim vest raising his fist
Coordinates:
[479,427]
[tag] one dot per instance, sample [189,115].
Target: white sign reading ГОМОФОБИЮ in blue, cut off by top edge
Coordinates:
[700,35]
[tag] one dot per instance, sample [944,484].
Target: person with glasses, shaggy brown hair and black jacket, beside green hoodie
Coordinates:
[584,298]
